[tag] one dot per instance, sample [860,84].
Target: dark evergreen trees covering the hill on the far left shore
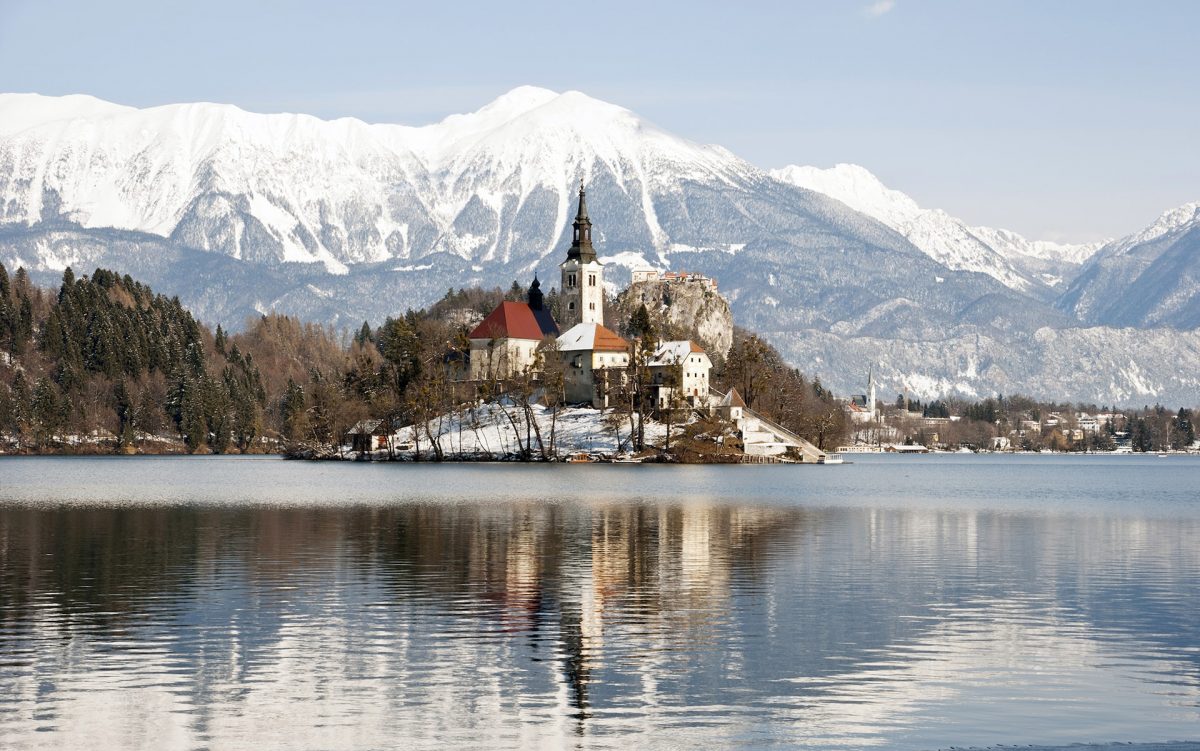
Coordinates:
[105,361]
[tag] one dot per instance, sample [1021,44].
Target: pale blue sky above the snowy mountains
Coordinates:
[1065,121]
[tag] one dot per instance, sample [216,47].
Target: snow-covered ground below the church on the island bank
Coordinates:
[499,431]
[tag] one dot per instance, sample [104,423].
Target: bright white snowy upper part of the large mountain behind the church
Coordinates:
[296,189]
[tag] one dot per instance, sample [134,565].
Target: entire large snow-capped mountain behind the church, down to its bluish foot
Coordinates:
[344,221]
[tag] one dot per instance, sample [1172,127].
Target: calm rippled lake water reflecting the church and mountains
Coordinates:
[897,603]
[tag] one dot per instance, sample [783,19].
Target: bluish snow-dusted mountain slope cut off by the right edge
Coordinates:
[1150,279]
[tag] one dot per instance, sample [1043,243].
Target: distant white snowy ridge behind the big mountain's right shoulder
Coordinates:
[1030,267]
